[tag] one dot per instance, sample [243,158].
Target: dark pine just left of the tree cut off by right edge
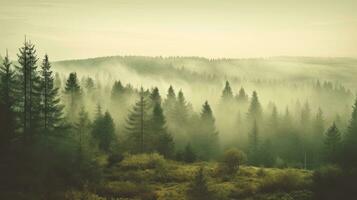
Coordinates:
[332,144]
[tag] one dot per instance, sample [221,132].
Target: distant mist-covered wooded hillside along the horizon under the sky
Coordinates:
[294,69]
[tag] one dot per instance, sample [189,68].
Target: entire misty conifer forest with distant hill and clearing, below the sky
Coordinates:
[133,127]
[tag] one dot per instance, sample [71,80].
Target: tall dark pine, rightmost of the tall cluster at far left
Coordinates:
[51,109]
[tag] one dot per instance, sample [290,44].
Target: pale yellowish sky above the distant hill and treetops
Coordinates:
[71,29]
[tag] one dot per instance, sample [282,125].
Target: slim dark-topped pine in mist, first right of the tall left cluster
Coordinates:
[73,90]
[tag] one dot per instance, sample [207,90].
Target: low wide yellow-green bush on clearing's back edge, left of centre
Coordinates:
[142,161]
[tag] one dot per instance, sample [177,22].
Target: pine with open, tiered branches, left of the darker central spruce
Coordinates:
[137,124]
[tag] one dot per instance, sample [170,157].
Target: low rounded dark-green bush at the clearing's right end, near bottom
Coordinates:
[285,181]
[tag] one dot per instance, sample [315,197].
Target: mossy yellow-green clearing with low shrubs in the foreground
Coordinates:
[152,177]
